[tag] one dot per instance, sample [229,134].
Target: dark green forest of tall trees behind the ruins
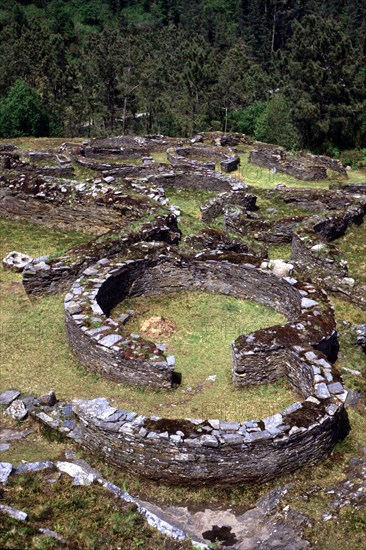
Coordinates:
[290,72]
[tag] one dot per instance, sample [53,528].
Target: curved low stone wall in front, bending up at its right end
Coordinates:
[206,452]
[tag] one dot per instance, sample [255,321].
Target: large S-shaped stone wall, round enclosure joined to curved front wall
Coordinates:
[208,451]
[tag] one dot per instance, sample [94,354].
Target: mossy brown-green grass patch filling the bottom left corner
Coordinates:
[87,517]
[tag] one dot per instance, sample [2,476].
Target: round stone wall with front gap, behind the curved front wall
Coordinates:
[105,347]
